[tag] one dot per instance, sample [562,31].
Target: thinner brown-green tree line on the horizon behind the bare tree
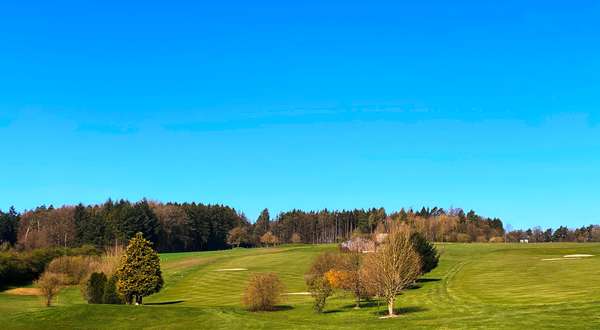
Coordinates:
[325,226]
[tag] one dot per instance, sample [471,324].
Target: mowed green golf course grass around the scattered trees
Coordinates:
[476,286]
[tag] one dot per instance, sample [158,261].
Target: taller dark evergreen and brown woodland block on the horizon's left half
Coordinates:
[170,227]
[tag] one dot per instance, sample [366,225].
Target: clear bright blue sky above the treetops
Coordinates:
[319,104]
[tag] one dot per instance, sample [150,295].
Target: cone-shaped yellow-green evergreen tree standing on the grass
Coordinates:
[139,272]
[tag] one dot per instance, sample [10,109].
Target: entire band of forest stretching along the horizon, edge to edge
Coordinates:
[195,227]
